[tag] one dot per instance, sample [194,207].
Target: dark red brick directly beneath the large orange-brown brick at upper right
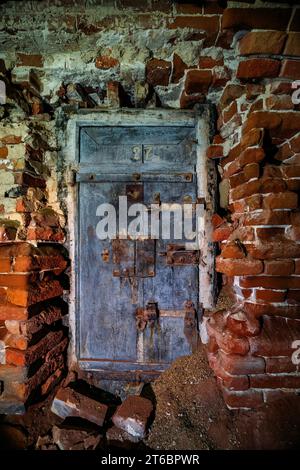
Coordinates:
[258,68]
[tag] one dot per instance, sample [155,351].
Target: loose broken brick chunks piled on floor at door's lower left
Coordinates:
[90,419]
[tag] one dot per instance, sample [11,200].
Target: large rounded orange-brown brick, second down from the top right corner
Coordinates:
[262,42]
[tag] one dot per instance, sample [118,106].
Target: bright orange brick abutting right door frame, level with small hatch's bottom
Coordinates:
[238,267]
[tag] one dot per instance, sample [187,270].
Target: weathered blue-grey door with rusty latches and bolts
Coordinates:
[137,299]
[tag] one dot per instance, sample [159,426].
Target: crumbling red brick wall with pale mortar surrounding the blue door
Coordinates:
[243,60]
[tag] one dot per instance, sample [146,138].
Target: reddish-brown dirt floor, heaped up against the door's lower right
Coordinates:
[190,415]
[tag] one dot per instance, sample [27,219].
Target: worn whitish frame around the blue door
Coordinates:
[68,138]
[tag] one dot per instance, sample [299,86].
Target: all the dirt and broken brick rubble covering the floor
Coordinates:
[190,414]
